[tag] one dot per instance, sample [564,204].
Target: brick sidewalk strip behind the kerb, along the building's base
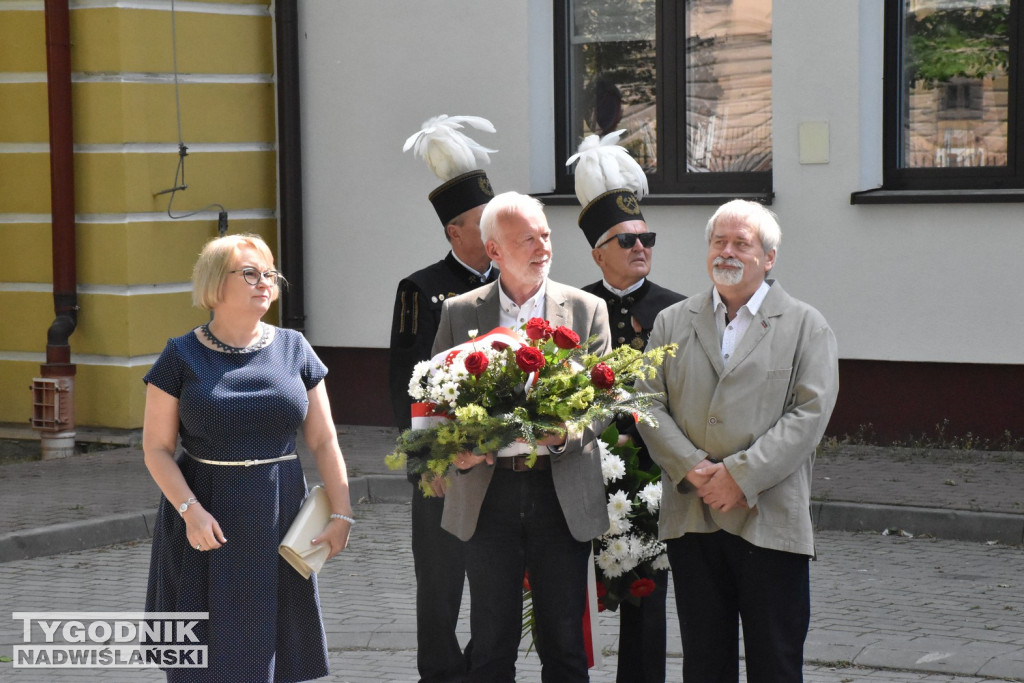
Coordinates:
[41,494]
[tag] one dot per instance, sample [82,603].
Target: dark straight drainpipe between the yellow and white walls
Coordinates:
[290,165]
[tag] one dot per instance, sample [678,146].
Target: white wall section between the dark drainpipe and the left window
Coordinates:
[372,73]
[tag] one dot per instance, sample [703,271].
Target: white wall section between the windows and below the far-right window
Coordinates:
[897,282]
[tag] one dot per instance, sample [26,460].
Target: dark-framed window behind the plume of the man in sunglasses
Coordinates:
[689,80]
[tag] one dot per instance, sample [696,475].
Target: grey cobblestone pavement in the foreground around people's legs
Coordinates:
[885,608]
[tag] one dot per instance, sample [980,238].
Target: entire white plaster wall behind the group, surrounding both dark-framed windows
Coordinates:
[927,283]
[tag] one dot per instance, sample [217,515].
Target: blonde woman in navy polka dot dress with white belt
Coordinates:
[234,391]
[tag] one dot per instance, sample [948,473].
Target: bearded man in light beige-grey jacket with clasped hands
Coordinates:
[746,401]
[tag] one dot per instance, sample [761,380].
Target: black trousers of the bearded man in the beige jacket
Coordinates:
[720,580]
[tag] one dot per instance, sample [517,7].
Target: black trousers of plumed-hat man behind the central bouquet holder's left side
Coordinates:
[441,575]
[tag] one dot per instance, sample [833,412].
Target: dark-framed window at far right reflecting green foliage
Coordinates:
[953,109]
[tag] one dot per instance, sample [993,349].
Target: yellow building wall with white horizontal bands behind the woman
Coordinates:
[134,262]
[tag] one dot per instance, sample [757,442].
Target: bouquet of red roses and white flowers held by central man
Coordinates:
[499,388]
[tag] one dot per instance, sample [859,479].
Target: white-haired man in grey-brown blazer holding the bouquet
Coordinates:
[516,519]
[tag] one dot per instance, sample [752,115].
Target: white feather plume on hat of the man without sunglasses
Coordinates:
[449,152]
